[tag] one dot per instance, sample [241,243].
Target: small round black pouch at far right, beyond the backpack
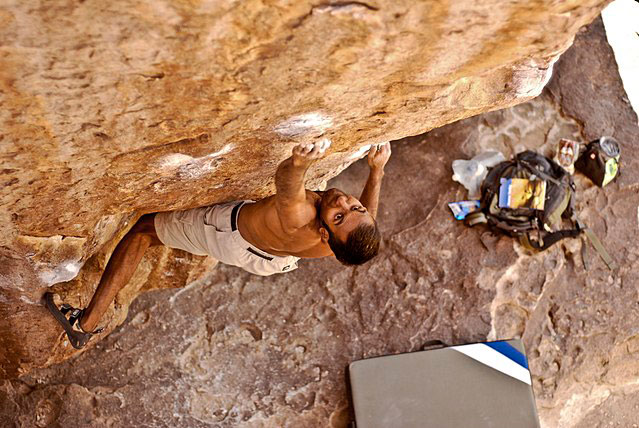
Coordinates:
[600,161]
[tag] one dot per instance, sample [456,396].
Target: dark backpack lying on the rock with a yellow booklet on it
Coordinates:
[536,229]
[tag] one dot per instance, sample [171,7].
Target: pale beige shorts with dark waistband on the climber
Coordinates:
[213,231]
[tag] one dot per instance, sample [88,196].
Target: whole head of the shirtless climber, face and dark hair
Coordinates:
[348,228]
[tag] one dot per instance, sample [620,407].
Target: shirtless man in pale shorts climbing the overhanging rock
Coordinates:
[263,237]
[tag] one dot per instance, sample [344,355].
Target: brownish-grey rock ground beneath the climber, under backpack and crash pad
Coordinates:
[233,349]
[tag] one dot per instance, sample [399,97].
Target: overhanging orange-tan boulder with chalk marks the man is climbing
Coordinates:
[111,110]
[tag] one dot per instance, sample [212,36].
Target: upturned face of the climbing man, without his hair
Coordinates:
[342,213]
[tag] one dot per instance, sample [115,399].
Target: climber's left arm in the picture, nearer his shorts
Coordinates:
[293,209]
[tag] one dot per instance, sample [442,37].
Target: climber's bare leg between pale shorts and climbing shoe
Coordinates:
[120,268]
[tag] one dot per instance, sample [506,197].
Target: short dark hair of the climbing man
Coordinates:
[361,245]
